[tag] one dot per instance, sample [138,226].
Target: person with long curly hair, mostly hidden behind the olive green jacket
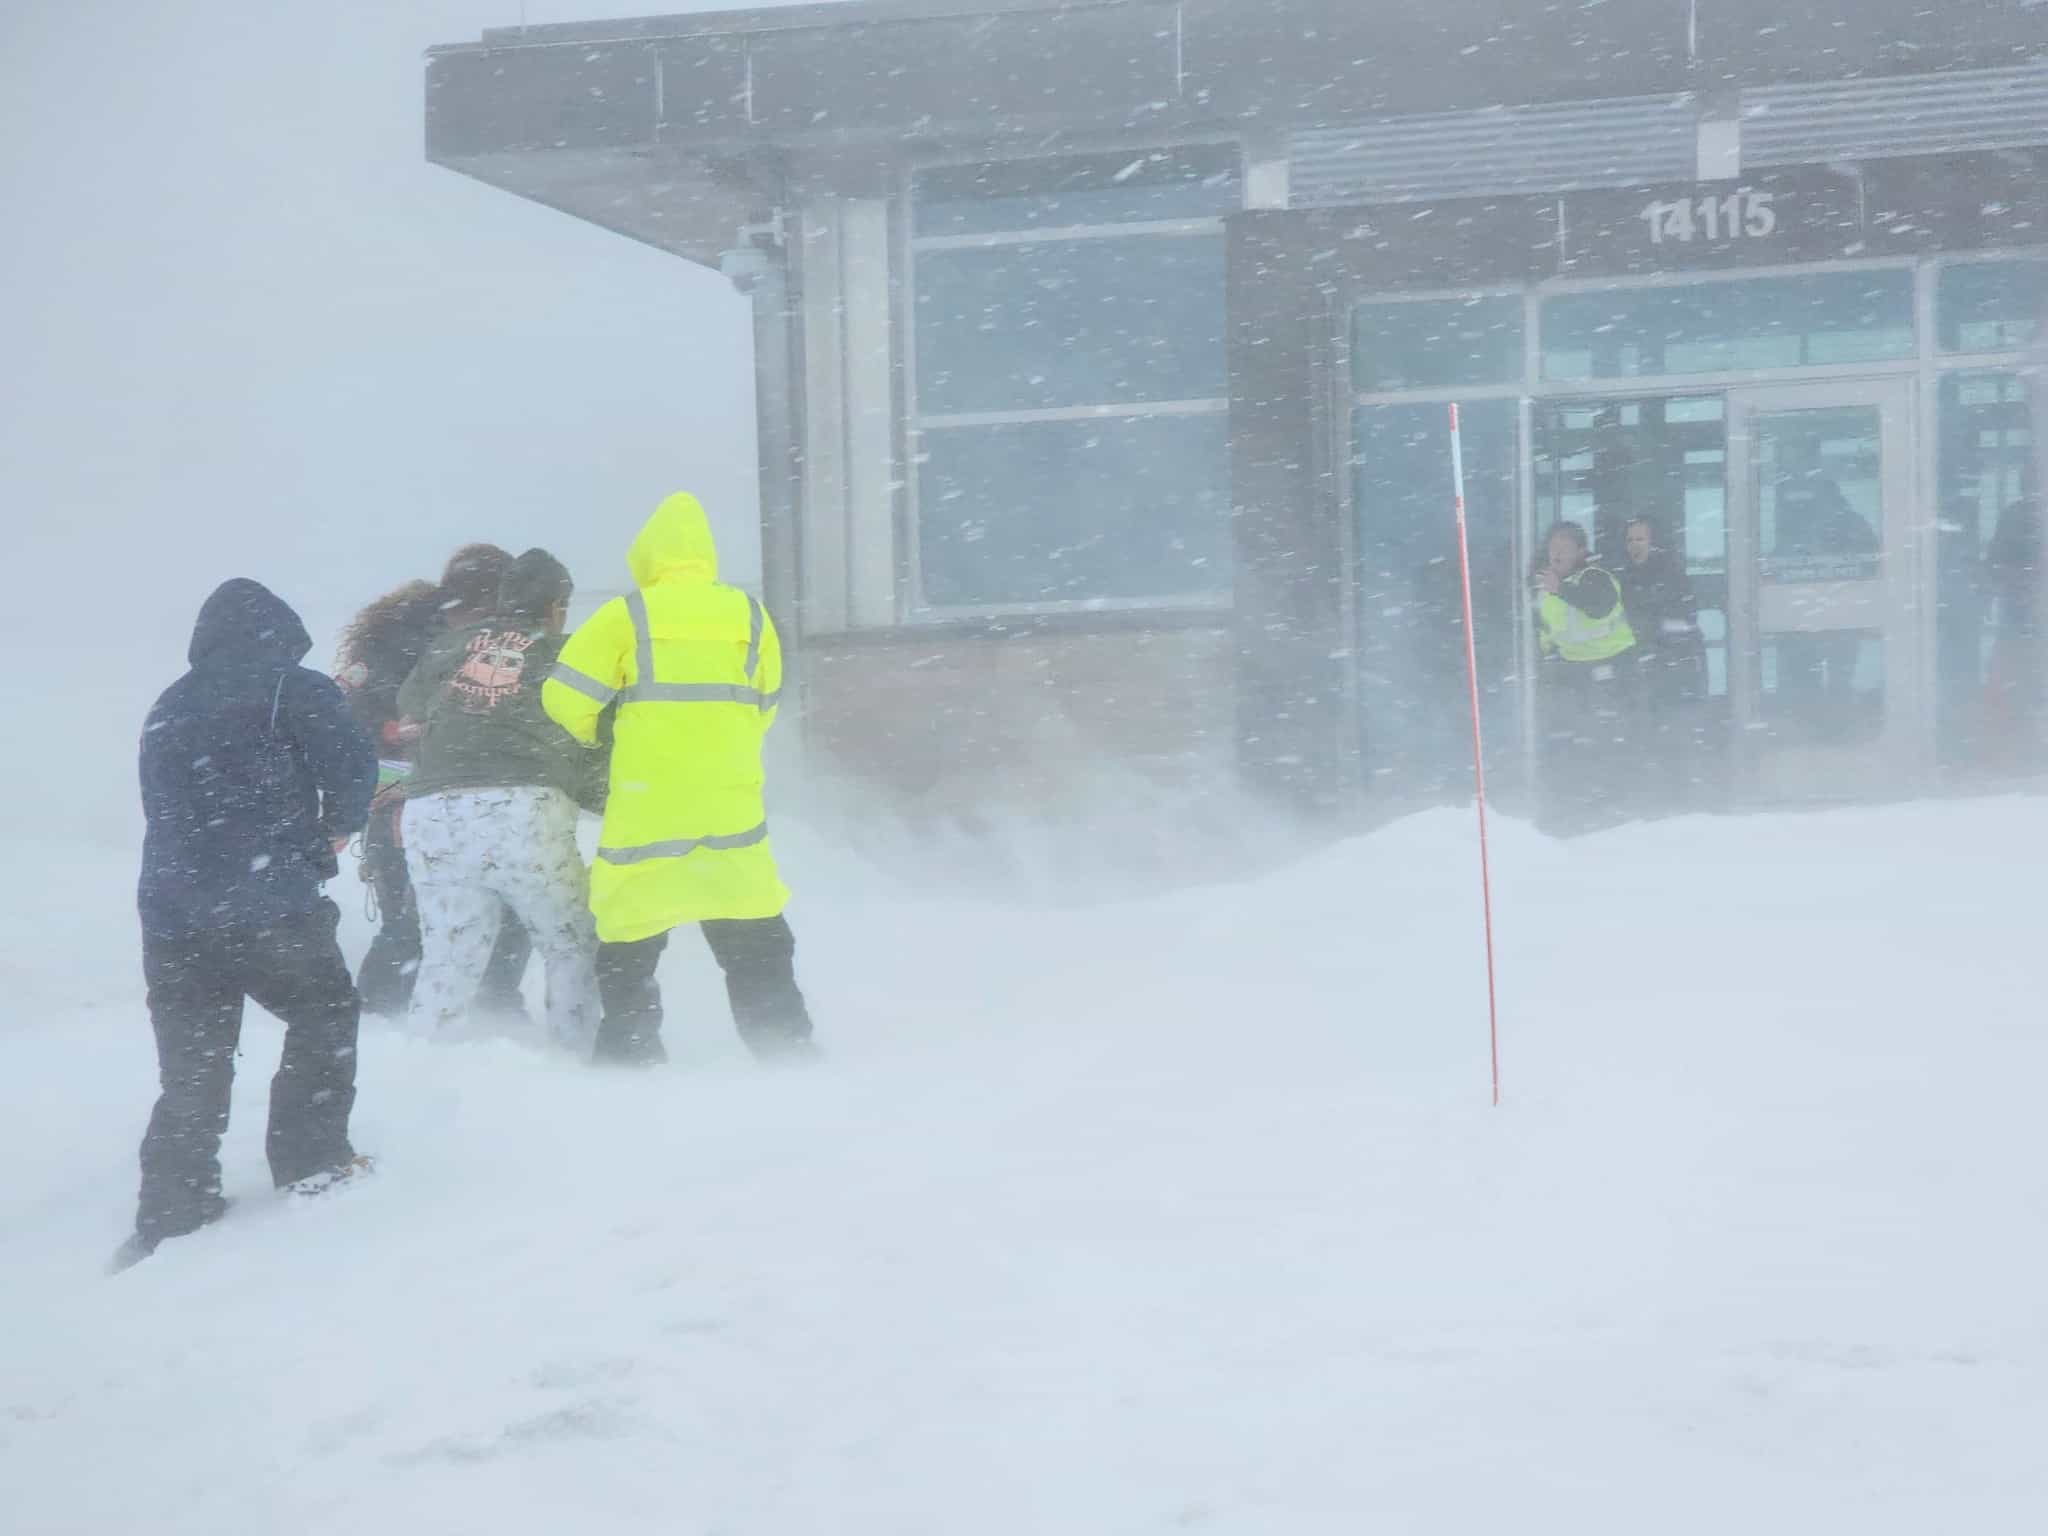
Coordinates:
[380,650]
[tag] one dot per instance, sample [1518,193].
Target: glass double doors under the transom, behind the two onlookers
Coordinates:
[1766,542]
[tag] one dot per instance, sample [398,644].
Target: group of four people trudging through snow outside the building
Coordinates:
[464,734]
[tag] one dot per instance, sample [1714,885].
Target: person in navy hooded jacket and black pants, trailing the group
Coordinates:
[253,775]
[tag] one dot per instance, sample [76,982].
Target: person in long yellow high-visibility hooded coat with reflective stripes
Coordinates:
[693,671]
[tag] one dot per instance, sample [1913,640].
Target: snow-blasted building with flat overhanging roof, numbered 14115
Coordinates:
[1105,355]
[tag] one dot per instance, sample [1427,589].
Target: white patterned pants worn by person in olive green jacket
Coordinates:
[476,853]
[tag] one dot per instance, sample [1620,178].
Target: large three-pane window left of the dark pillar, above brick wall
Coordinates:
[1070,396]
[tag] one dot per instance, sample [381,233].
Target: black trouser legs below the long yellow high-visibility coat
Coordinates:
[759,957]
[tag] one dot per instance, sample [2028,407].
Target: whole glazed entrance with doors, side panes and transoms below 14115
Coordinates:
[1818,488]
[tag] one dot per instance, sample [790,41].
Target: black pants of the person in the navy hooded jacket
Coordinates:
[198,984]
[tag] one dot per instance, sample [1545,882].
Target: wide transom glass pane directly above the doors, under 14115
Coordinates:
[1775,323]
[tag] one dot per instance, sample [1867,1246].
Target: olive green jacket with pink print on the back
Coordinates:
[478,697]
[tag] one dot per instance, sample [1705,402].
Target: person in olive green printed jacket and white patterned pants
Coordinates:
[490,810]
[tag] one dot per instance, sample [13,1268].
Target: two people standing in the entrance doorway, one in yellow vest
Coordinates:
[1621,683]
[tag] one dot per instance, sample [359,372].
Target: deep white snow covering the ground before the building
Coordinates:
[1177,1213]
